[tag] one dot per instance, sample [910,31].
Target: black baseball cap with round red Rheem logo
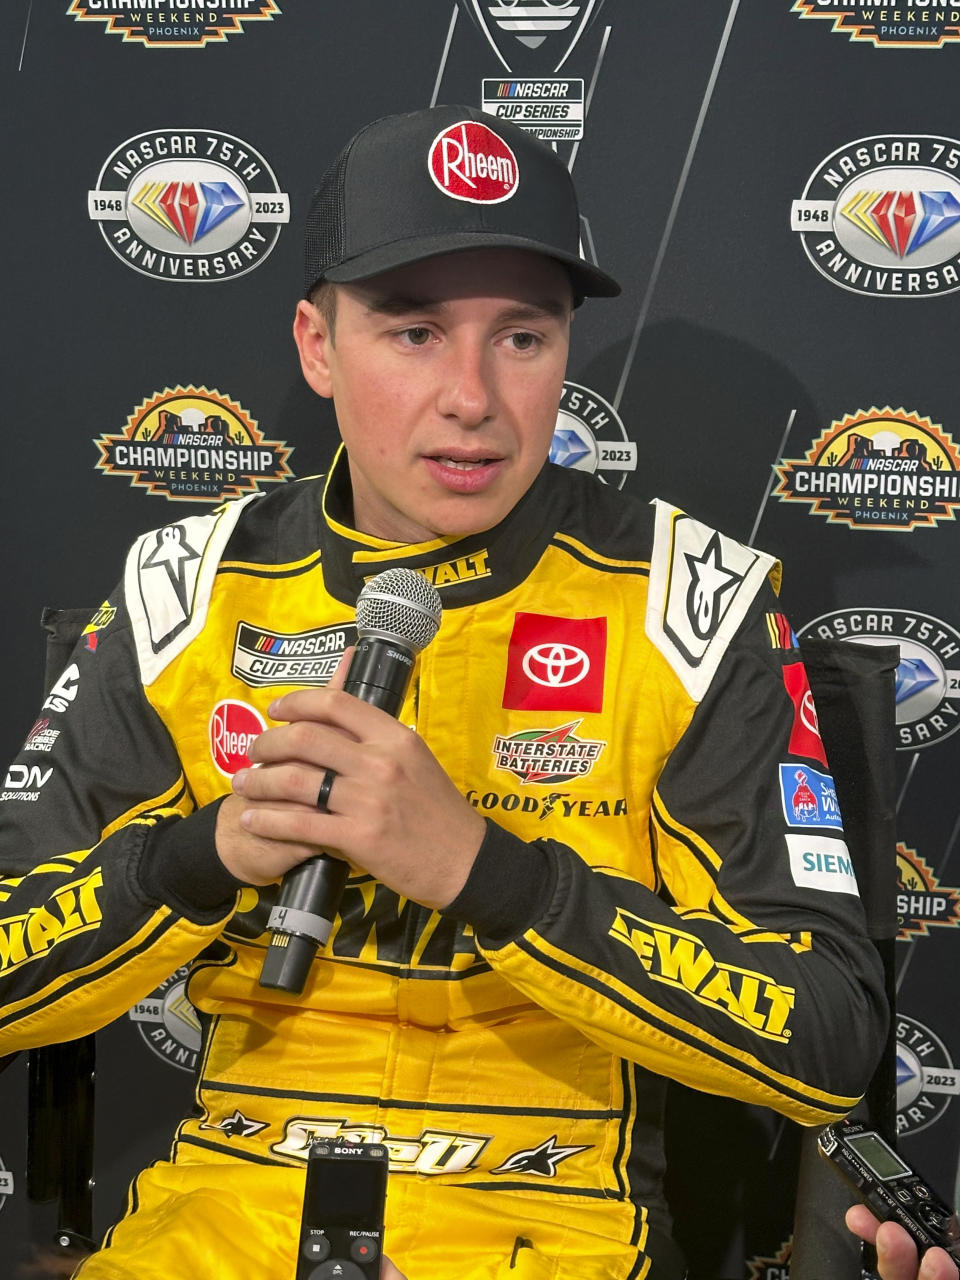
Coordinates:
[447,179]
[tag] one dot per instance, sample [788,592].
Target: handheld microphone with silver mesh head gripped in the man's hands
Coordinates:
[399,614]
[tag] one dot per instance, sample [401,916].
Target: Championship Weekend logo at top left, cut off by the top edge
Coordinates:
[173,24]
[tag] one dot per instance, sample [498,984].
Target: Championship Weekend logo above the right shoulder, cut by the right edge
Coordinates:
[877,469]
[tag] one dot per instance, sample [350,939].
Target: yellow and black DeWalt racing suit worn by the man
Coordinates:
[662,892]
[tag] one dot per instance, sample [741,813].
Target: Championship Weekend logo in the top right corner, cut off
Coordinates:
[899,25]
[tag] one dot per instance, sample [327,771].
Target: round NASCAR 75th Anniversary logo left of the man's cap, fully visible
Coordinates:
[191,205]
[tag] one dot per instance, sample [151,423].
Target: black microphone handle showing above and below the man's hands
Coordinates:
[310,894]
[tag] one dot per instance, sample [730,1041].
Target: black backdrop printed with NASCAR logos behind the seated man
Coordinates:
[778,186]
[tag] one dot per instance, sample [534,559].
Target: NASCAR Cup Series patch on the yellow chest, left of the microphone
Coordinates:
[299,659]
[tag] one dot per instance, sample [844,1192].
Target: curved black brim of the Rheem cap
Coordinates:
[587,280]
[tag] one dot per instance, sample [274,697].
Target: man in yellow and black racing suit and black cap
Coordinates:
[578,868]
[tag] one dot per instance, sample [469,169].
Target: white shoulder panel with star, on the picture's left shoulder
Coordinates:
[168,580]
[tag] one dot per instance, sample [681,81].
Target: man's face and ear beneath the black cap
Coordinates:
[446,377]
